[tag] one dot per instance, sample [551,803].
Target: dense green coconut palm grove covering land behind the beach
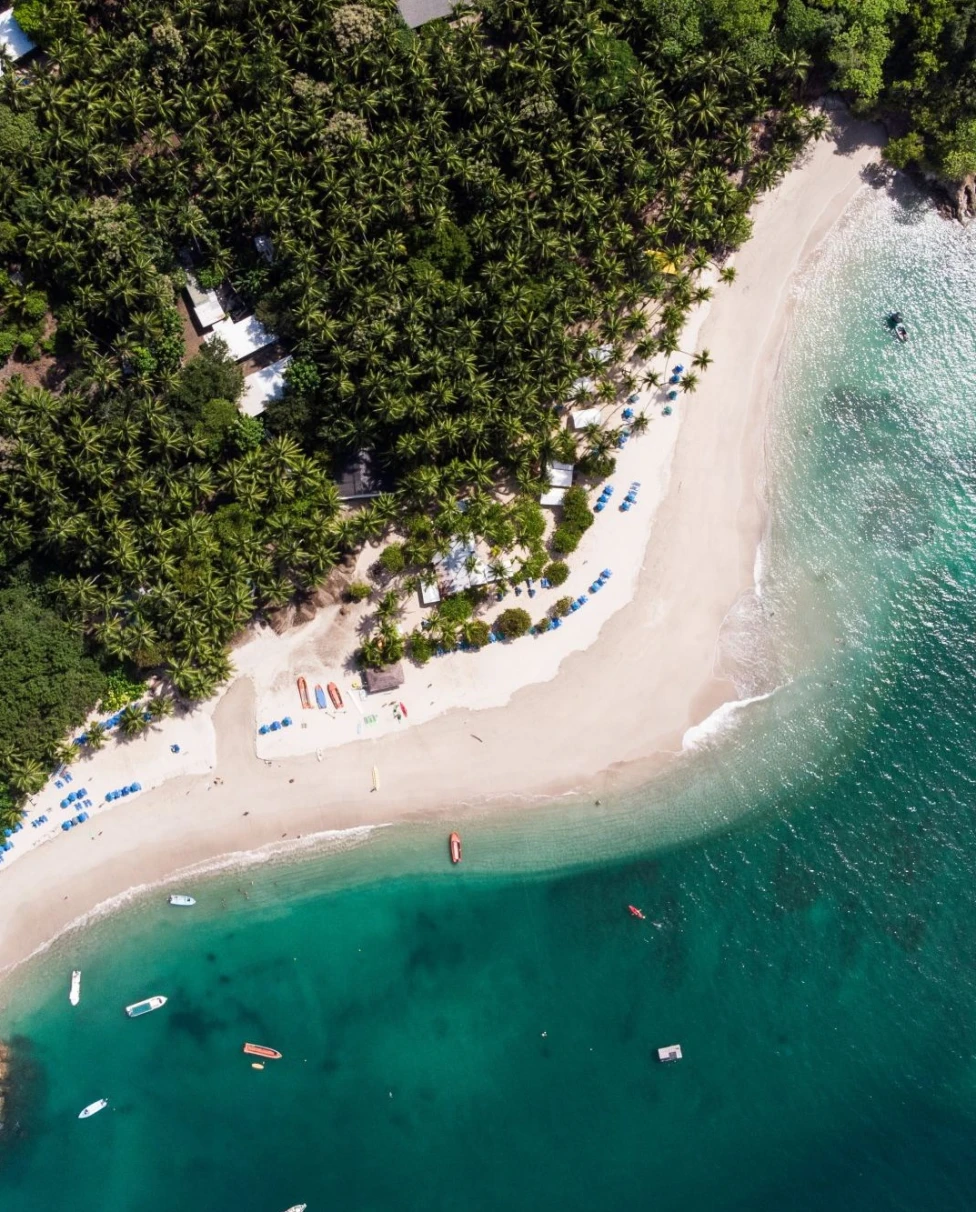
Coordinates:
[456,216]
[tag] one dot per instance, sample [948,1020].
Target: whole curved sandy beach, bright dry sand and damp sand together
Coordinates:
[596,706]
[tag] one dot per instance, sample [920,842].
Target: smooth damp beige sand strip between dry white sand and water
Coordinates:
[607,719]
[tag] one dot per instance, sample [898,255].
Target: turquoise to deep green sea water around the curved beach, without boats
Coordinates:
[484,1038]
